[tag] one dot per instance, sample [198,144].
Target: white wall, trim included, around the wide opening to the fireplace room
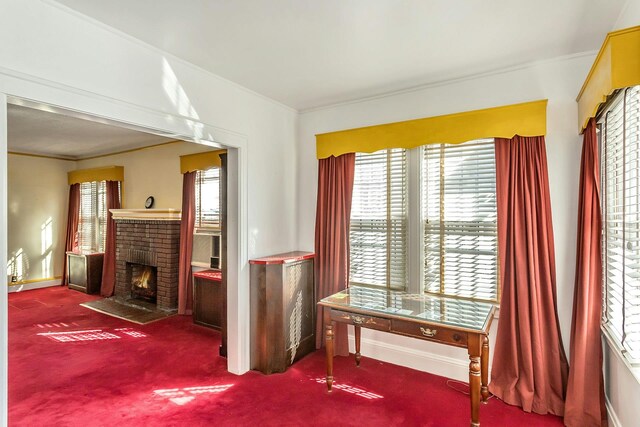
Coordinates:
[52,55]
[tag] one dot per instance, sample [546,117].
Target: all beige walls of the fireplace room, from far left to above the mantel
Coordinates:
[38,192]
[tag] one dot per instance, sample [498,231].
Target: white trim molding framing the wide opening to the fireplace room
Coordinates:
[24,89]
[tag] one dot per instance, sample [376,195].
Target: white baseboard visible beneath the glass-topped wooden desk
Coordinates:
[436,364]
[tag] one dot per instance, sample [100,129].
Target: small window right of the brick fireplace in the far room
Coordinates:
[208,199]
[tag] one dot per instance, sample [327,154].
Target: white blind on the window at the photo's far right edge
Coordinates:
[620,146]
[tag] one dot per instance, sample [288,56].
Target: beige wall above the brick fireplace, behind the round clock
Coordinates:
[153,171]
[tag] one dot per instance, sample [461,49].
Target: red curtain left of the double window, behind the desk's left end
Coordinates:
[333,212]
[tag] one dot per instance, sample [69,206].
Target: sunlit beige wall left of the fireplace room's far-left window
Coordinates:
[37,215]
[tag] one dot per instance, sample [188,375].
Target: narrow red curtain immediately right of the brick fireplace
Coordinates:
[187,224]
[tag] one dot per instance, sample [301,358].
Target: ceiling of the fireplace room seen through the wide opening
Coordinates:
[45,133]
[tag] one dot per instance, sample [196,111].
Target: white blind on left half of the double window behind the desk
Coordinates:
[378,235]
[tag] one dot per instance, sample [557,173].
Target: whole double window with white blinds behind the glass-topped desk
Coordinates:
[450,191]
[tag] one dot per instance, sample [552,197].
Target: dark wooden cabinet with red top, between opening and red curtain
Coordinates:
[282,310]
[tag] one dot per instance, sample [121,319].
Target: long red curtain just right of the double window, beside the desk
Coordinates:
[529,363]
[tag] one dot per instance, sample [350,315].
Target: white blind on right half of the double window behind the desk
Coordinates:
[460,220]
